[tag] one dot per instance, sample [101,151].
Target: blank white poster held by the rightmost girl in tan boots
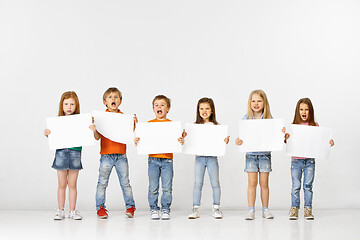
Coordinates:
[308,141]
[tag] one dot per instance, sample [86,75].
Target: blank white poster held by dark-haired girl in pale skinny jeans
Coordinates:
[205,140]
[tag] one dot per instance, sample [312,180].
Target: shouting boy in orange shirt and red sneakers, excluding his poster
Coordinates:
[113,154]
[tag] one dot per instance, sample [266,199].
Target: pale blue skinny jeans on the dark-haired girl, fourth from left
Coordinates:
[201,162]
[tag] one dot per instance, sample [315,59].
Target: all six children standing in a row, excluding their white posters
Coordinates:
[67,162]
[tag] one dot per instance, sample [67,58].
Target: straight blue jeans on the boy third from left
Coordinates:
[160,168]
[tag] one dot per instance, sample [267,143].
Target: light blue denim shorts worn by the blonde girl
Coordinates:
[258,163]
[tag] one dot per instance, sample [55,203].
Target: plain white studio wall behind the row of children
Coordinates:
[185,50]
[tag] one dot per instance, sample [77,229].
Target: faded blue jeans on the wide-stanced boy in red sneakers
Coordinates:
[107,162]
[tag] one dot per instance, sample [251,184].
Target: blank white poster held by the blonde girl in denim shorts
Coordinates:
[260,135]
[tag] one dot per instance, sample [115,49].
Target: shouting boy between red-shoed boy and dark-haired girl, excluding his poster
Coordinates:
[160,166]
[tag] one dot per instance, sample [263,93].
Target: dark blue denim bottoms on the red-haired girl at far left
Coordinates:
[67,159]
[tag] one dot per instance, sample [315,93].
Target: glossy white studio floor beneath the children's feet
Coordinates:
[328,224]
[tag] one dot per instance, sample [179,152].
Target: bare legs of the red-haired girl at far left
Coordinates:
[67,178]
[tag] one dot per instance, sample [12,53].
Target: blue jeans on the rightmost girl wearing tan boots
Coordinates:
[298,166]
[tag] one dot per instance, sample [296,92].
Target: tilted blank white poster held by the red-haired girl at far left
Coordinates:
[70,131]
